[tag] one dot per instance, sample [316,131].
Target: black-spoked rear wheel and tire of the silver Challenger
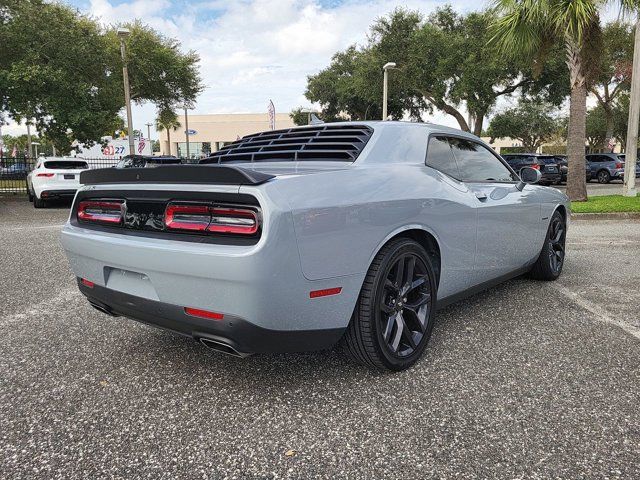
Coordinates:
[385,332]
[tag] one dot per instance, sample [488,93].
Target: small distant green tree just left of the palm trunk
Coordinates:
[530,122]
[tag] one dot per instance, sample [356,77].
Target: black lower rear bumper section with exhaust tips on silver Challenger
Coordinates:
[242,337]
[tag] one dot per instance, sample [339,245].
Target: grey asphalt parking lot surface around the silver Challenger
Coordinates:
[527,380]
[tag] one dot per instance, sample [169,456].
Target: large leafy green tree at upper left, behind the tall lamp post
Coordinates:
[62,72]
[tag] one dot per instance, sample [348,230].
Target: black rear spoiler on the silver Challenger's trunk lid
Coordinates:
[203,174]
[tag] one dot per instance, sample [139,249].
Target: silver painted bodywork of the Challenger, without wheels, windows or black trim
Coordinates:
[323,223]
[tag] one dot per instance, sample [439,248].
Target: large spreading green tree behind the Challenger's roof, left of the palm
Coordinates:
[444,63]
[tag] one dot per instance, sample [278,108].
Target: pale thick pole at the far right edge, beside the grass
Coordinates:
[631,152]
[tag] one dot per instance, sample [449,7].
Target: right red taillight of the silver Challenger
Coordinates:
[215,219]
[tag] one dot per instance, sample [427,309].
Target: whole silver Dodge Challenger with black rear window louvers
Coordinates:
[297,239]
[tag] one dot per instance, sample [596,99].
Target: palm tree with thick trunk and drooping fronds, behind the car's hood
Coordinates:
[529,27]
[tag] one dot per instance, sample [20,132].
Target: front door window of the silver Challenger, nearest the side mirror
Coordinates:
[477,164]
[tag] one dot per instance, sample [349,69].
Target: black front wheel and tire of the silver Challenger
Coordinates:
[549,265]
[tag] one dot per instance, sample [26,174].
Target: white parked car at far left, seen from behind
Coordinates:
[54,177]
